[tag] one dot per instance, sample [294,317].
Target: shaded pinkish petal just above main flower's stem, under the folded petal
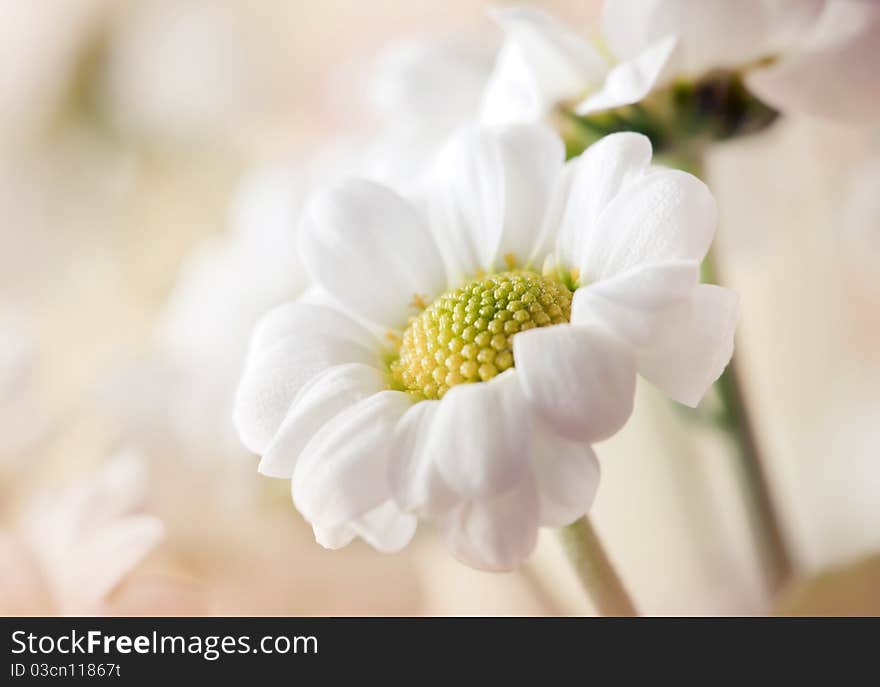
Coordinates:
[567,476]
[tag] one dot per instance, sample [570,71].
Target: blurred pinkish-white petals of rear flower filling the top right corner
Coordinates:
[825,53]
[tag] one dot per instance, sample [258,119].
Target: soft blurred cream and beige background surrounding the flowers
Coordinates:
[130,133]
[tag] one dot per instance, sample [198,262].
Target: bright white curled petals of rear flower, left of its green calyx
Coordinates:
[542,63]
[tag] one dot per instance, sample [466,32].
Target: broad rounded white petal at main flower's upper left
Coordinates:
[371,250]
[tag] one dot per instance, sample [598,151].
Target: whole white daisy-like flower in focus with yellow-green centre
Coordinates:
[362,404]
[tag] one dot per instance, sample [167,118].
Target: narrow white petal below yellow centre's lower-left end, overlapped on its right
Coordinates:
[415,480]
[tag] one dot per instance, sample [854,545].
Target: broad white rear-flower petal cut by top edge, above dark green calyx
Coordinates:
[712,33]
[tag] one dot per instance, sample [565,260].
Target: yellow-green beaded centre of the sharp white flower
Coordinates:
[466,335]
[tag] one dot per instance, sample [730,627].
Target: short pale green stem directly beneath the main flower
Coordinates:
[594,570]
